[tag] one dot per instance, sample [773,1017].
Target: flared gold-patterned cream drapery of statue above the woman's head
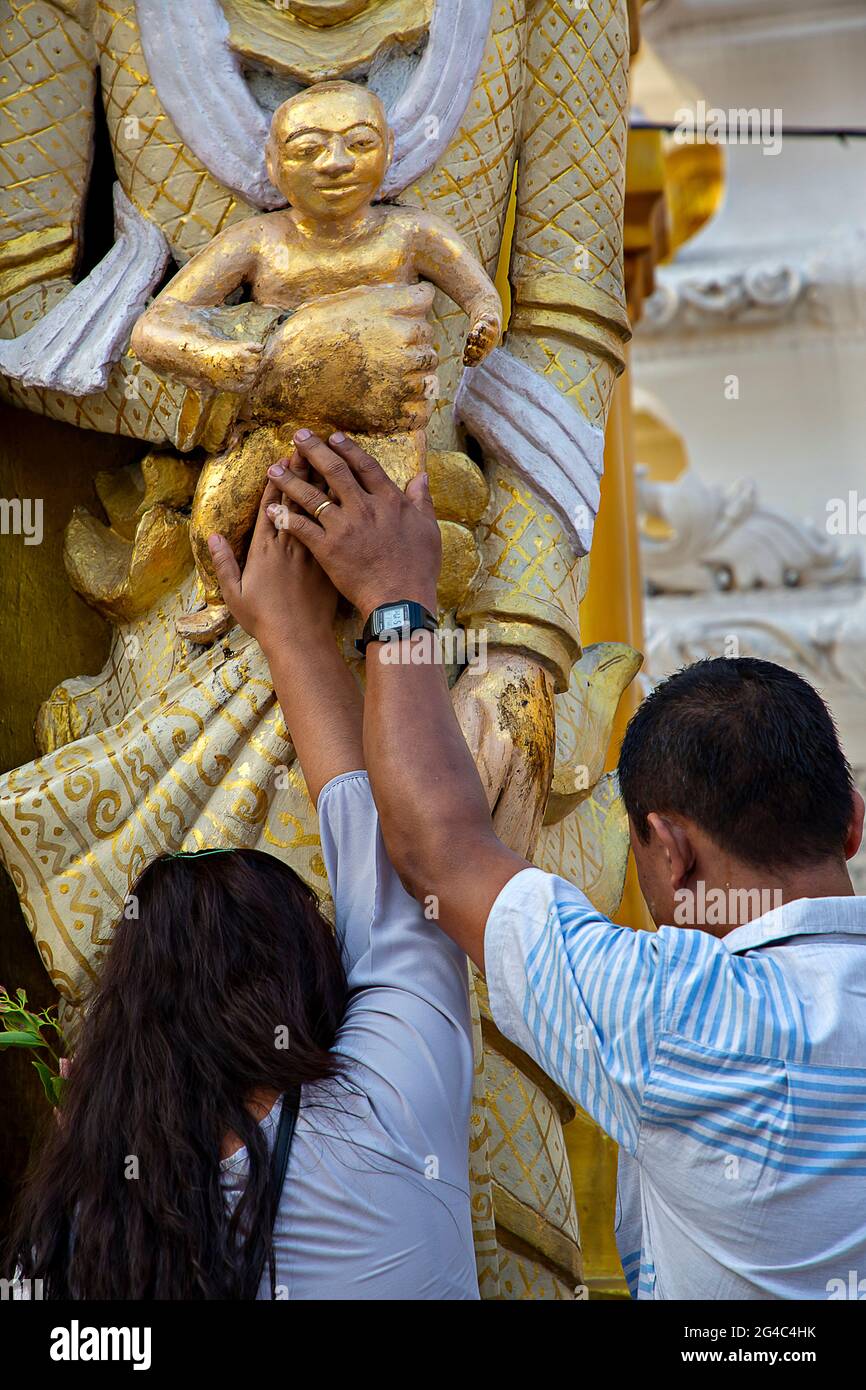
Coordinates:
[168,754]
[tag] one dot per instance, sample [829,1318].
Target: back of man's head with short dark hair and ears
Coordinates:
[742,757]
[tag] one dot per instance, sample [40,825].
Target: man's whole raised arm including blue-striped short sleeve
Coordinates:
[585,999]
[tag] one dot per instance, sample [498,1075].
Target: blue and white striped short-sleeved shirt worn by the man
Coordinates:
[730,1072]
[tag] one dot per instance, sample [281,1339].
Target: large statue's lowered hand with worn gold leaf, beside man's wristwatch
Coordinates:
[507,715]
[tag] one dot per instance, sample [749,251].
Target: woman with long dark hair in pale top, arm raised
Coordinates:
[234,1038]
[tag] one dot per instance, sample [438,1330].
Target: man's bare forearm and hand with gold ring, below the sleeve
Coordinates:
[434,815]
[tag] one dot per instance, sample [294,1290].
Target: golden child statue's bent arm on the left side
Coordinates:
[177,334]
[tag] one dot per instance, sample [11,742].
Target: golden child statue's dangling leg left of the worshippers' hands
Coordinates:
[227,500]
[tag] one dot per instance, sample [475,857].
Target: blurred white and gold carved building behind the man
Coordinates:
[750,358]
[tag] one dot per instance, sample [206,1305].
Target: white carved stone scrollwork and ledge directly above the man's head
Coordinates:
[739,580]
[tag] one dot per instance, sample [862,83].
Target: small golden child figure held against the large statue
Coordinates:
[329,152]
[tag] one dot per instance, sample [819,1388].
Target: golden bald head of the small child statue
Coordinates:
[330,149]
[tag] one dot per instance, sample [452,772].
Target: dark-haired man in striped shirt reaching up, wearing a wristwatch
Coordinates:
[725,1053]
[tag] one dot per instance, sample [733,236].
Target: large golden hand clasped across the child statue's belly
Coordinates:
[361,359]
